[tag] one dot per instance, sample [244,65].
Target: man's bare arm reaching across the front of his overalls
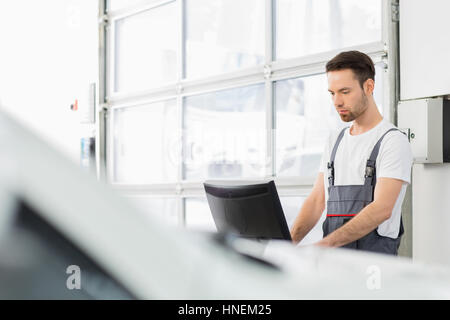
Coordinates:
[385,196]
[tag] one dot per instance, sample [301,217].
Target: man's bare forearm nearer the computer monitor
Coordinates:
[310,212]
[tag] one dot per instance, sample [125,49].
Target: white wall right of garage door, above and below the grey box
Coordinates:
[425,72]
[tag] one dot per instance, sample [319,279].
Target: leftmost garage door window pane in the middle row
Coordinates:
[146,143]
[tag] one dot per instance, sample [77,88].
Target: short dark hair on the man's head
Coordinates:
[360,63]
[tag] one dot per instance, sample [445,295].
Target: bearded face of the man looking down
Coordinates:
[348,97]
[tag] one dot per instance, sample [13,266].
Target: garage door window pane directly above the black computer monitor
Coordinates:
[224,134]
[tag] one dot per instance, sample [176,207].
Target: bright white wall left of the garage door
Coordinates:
[48,57]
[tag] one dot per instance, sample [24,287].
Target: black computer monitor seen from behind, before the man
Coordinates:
[250,210]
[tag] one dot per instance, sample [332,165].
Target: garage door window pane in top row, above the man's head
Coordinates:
[305,27]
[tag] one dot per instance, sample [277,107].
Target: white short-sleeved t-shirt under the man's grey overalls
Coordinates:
[394,160]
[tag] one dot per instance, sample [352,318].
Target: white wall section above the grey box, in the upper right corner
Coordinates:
[424,48]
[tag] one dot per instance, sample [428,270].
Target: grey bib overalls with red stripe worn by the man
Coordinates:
[344,202]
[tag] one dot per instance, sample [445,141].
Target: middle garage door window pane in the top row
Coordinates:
[223,36]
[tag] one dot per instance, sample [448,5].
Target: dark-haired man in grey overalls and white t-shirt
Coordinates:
[365,168]
